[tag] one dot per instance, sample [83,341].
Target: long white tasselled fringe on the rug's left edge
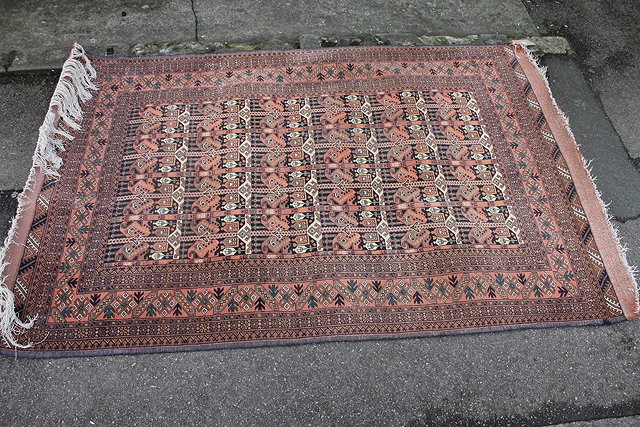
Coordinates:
[73,88]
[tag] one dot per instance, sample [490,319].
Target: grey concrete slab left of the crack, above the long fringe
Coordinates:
[41,32]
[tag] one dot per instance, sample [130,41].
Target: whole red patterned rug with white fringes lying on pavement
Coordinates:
[281,197]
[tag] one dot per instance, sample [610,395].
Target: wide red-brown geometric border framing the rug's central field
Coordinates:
[558,278]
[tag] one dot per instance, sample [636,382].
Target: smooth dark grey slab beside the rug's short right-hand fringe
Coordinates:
[616,175]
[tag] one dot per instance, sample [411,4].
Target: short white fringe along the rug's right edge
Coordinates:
[622,248]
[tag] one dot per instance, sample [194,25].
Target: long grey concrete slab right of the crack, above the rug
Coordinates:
[287,20]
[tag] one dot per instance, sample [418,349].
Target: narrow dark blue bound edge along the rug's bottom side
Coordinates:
[302,341]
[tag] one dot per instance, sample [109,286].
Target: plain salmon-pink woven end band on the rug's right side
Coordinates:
[604,234]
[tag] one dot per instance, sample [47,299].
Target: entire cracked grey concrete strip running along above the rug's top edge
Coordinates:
[35,34]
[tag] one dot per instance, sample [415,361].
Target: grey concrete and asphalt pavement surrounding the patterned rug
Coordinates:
[573,375]
